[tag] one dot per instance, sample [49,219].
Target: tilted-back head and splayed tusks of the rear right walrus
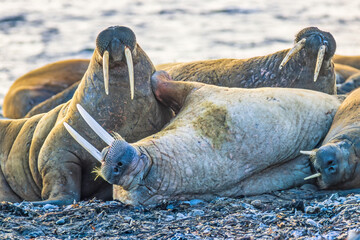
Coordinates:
[316,42]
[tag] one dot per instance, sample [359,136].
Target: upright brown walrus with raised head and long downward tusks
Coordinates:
[41,162]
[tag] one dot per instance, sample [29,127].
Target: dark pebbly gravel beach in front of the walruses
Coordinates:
[293,214]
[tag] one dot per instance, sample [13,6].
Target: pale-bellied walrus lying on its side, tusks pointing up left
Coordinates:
[223,142]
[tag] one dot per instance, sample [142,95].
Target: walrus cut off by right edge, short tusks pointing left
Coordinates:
[336,162]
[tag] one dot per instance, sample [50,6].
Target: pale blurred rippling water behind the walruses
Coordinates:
[37,32]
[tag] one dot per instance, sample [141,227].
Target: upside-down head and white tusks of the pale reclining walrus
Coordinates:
[121,163]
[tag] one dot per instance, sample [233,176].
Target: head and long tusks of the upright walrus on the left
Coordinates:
[116,45]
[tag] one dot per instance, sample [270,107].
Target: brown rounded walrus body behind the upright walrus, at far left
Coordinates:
[42,83]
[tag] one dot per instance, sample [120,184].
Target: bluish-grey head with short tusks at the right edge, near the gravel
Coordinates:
[336,165]
